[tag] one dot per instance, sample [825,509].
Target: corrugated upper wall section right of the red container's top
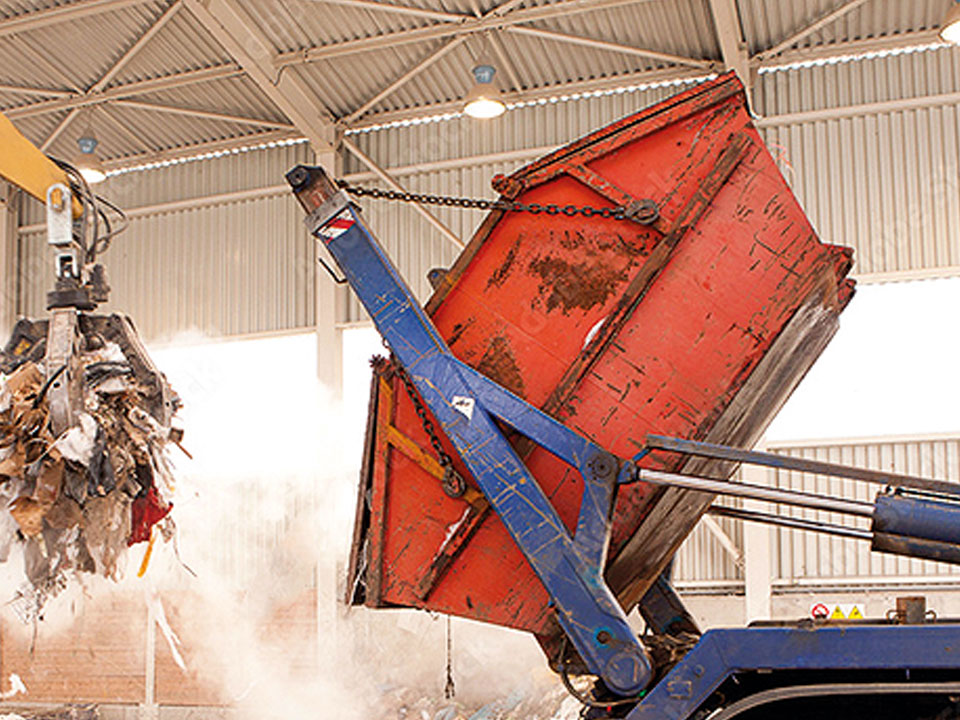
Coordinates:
[885,184]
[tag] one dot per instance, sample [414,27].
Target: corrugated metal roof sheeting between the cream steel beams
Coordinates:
[73,56]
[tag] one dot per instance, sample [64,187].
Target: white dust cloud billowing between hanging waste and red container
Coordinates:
[246,607]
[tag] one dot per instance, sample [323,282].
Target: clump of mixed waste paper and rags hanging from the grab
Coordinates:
[75,500]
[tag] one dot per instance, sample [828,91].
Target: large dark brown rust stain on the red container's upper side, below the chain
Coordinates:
[575,285]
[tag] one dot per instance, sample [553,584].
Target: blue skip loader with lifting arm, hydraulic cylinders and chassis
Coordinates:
[919,519]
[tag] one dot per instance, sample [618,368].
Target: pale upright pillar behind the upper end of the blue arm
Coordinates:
[331,301]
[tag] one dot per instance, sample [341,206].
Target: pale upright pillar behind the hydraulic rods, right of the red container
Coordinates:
[758,568]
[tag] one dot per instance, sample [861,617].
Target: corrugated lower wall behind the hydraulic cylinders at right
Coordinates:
[811,558]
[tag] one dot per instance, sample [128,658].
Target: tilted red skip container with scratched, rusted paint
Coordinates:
[695,319]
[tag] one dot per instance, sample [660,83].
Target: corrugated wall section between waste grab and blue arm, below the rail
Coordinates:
[230,269]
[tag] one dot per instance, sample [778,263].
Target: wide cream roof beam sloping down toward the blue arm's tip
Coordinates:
[249,46]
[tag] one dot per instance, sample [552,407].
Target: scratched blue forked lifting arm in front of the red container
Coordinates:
[465,403]
